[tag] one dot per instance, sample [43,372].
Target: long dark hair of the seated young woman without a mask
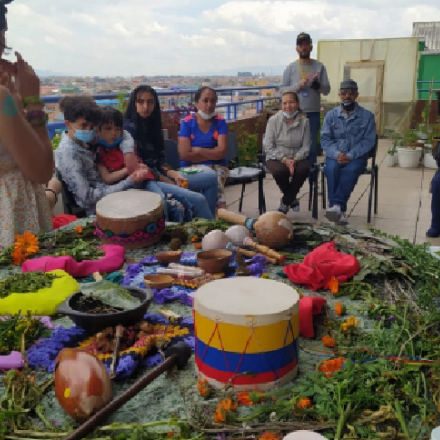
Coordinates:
[153,122]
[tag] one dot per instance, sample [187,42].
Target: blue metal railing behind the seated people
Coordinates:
[231,108]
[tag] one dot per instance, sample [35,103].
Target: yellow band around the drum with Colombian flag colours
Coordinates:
[236,338]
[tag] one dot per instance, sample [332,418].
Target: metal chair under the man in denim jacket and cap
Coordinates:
[372,171]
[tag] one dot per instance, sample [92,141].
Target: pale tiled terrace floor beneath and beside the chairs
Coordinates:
[403,204]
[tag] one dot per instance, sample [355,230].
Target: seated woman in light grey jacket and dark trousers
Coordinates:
[287,145]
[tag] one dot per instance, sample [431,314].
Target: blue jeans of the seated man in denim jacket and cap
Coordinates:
[341,179]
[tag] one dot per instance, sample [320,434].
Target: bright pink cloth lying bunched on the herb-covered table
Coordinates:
[113,260]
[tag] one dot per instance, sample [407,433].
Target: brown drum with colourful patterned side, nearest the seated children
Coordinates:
[133,218]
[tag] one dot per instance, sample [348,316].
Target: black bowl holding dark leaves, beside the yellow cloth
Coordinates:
[94,323]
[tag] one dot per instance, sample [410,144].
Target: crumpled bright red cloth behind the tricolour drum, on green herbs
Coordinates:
[320,265]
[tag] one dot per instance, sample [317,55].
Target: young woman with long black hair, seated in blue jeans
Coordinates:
[143,122]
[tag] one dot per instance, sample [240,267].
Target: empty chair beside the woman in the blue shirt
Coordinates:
[245,175]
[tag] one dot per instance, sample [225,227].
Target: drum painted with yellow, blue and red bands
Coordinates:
[246,333]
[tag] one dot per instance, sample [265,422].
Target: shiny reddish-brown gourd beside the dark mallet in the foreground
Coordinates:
[82,384]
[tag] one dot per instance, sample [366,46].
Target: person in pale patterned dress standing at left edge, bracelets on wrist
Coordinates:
[26,157]
